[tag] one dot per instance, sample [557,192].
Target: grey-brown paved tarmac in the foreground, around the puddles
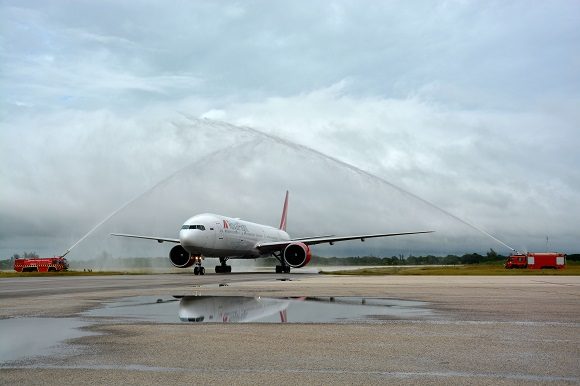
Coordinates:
[482,330]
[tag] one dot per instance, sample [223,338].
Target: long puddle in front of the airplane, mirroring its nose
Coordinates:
[239,309]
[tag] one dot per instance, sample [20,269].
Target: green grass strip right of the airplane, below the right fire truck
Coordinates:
[460,270]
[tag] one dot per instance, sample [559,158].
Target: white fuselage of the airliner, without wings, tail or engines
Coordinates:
[212,235]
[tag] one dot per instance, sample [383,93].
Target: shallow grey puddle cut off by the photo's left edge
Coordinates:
[28,337]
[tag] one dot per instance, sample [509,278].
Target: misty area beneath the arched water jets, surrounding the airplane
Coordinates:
[246,174]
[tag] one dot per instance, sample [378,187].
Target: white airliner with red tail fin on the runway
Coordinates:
[212,235]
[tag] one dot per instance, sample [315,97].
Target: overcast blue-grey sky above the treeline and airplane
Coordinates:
[473,106]
